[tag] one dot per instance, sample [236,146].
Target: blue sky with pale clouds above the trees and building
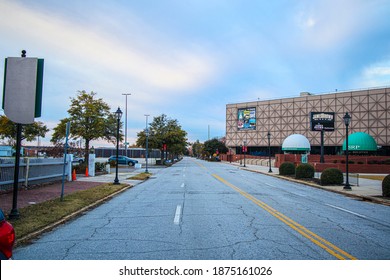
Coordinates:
[187,59]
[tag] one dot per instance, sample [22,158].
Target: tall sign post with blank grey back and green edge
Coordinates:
[22,102]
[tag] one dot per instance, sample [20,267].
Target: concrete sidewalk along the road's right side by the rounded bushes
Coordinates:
[370,190]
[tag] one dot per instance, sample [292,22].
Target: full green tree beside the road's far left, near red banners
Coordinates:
[164,130]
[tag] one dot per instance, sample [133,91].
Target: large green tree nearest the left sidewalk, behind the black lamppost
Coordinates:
[90,119]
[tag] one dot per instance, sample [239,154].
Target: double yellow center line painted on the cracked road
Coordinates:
[319,241]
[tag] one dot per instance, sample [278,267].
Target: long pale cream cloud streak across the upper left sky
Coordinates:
[159,65]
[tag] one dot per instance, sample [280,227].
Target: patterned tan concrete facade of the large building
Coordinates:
[369,109]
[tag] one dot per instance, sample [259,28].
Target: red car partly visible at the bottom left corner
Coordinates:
[7,238]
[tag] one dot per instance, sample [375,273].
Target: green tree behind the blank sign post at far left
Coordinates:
[29,131]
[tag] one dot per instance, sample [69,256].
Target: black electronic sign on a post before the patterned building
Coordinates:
[322,121]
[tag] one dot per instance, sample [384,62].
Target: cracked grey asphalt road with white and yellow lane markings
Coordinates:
[201,210]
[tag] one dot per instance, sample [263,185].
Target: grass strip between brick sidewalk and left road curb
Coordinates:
[38,216]
